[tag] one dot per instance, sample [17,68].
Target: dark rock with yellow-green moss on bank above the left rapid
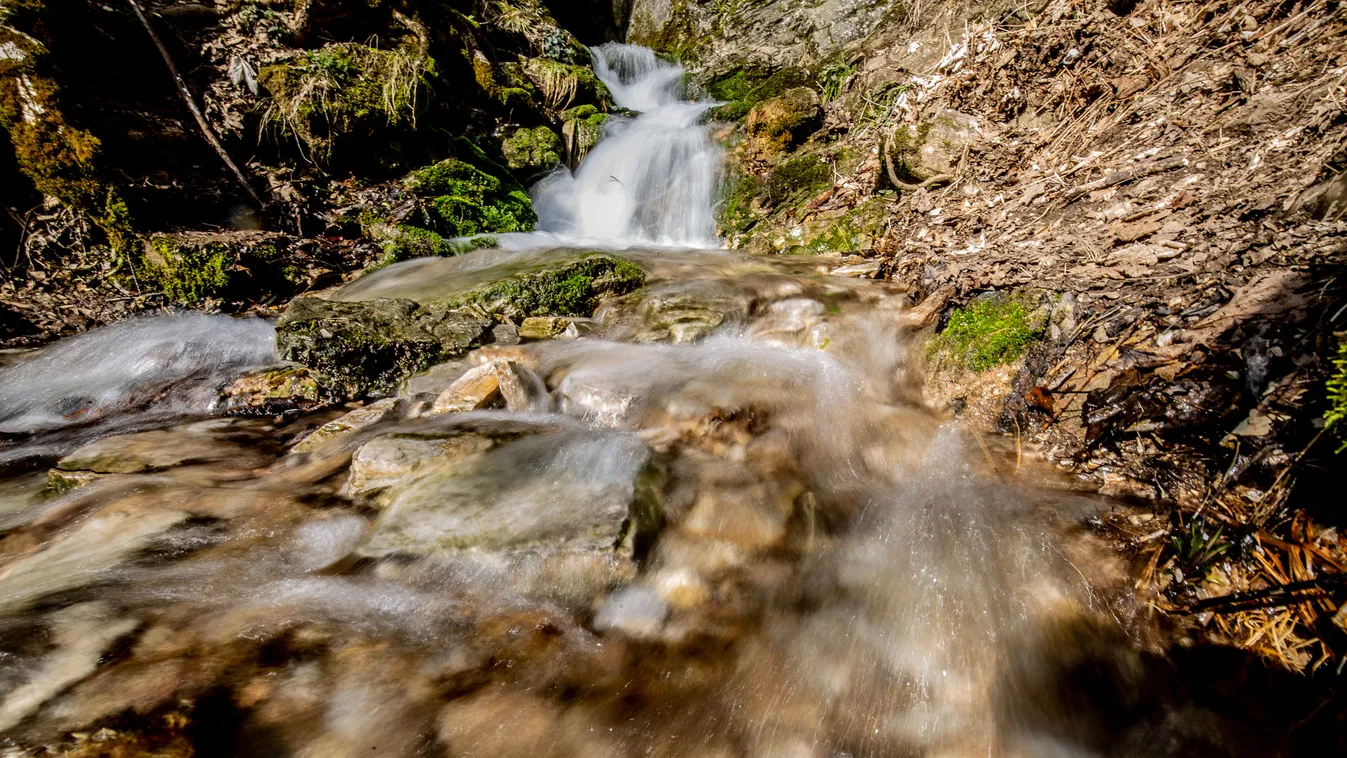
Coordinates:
[193,266]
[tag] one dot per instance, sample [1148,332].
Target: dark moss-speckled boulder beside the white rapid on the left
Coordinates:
[370,348]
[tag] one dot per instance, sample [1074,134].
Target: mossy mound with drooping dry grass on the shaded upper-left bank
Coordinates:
[344,91]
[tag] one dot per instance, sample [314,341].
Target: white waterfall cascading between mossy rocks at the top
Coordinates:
[653,180]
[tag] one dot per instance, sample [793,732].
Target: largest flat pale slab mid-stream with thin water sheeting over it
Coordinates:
[570,499]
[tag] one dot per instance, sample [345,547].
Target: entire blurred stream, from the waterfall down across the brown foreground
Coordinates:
[717,524]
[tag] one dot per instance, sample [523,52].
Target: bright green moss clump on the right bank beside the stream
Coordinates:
[989,332]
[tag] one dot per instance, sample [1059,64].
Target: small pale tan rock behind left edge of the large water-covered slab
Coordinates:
[390,460]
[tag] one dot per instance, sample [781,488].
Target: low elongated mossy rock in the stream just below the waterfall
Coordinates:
[570,290]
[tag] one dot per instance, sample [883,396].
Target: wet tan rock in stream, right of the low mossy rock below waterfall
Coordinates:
[689,310]
